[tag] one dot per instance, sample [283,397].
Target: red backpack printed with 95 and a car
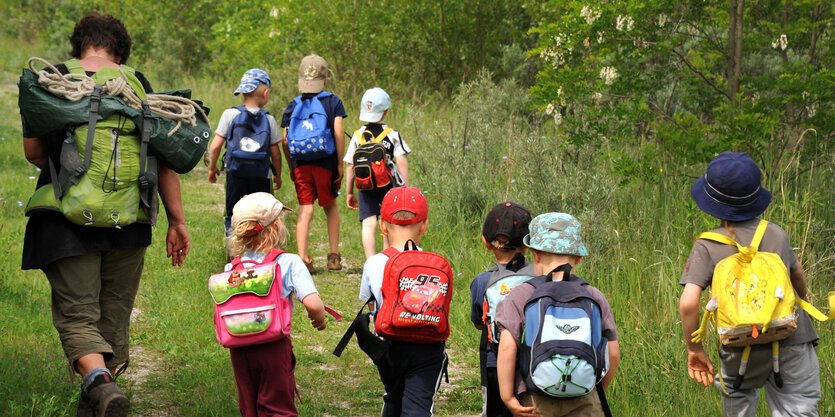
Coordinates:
[417,290]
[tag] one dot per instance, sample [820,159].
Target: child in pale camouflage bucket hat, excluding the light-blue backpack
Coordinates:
[555,241]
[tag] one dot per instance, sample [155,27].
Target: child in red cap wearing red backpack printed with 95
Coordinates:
[410,292]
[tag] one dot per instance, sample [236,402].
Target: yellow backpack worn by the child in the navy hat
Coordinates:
[753,301]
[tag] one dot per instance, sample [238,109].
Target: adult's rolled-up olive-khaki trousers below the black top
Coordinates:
[92,298]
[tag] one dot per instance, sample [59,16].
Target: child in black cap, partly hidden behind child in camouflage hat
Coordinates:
[504,227]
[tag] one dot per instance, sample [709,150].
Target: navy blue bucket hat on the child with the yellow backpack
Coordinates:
[730,189]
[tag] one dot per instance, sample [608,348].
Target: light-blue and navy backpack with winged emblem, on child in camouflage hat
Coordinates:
[564,353]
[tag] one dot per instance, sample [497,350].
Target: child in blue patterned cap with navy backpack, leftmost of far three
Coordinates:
[251,136]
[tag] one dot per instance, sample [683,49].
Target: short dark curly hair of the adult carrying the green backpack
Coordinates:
[101,31]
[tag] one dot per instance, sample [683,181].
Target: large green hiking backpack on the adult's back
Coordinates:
[107,178]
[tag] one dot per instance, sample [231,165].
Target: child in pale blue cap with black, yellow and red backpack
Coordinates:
[376,157]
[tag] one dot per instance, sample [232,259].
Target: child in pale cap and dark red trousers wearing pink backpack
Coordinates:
[253,306]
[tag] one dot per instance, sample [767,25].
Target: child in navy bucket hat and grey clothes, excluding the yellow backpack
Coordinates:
[731,190]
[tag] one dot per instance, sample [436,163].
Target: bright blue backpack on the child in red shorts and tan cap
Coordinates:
[308,136]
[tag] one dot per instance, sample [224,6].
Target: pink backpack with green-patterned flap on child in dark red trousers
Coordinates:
[249,308]
